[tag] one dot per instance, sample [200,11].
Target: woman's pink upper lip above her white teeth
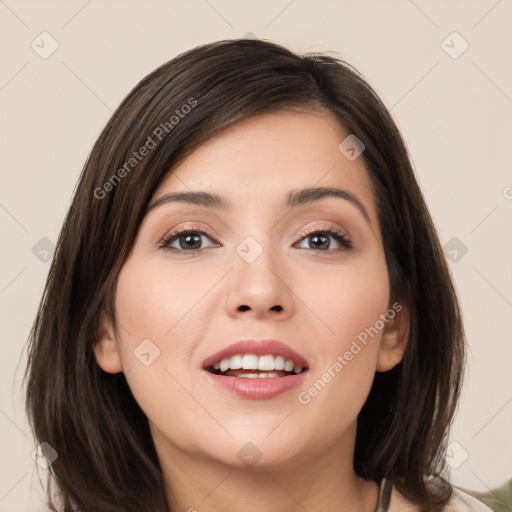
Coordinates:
[258,348]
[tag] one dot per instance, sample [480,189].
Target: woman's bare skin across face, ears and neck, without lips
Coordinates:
[190,307]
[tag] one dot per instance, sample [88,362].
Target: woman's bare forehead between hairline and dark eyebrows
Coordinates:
[263,157]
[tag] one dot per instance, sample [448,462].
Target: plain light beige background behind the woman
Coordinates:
[455,114]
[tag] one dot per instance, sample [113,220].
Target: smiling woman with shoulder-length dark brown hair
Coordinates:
[248,308]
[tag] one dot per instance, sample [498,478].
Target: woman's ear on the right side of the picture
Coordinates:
[394,338]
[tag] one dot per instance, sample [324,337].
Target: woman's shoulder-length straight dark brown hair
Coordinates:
[106,458]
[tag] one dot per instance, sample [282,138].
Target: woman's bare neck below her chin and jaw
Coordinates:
[327,482]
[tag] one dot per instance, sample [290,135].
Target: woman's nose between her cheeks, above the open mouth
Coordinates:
[259,288]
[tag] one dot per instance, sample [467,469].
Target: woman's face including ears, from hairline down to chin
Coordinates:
[263,269]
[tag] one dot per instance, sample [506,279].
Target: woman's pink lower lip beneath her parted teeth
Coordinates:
[256,389]
